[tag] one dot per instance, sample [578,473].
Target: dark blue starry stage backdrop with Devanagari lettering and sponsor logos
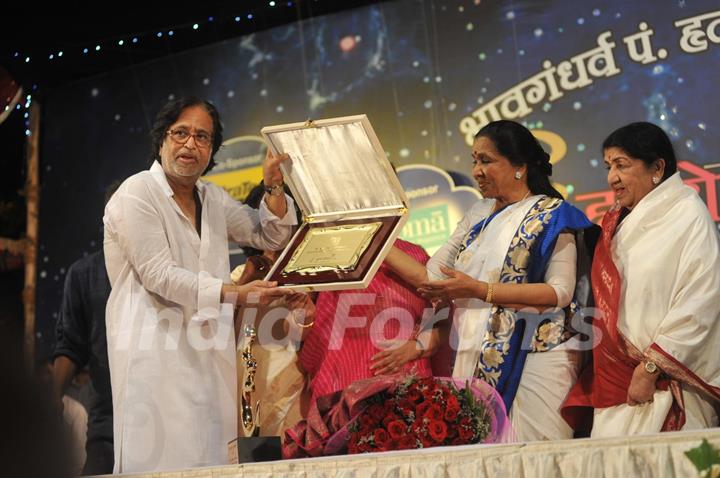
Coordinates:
[428,74]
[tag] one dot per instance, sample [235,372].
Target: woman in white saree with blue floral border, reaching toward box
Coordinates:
[510,270]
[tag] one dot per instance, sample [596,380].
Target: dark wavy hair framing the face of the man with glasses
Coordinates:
[171,112]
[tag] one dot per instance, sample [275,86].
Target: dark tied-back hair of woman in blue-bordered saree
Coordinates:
[517,143]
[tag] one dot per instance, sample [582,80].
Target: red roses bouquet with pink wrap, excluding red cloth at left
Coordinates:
[426,412]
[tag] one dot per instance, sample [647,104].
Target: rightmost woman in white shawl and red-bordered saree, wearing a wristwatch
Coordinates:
[656,280]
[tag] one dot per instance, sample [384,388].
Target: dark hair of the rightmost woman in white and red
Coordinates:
[646,142]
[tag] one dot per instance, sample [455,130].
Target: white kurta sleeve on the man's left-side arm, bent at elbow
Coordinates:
[140,233]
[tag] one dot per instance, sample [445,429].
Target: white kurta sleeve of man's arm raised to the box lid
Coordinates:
[260,228]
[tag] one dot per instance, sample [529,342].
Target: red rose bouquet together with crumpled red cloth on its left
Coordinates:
[396,412]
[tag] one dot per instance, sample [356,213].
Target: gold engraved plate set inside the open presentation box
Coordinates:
[332,248]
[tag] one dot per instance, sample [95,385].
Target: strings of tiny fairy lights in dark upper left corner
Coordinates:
[127,41]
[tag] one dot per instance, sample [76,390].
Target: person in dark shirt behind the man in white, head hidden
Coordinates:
[80,341]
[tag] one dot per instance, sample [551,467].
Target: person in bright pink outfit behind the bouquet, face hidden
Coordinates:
[353,335]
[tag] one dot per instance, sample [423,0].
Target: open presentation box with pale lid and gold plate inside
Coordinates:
[352,202]
